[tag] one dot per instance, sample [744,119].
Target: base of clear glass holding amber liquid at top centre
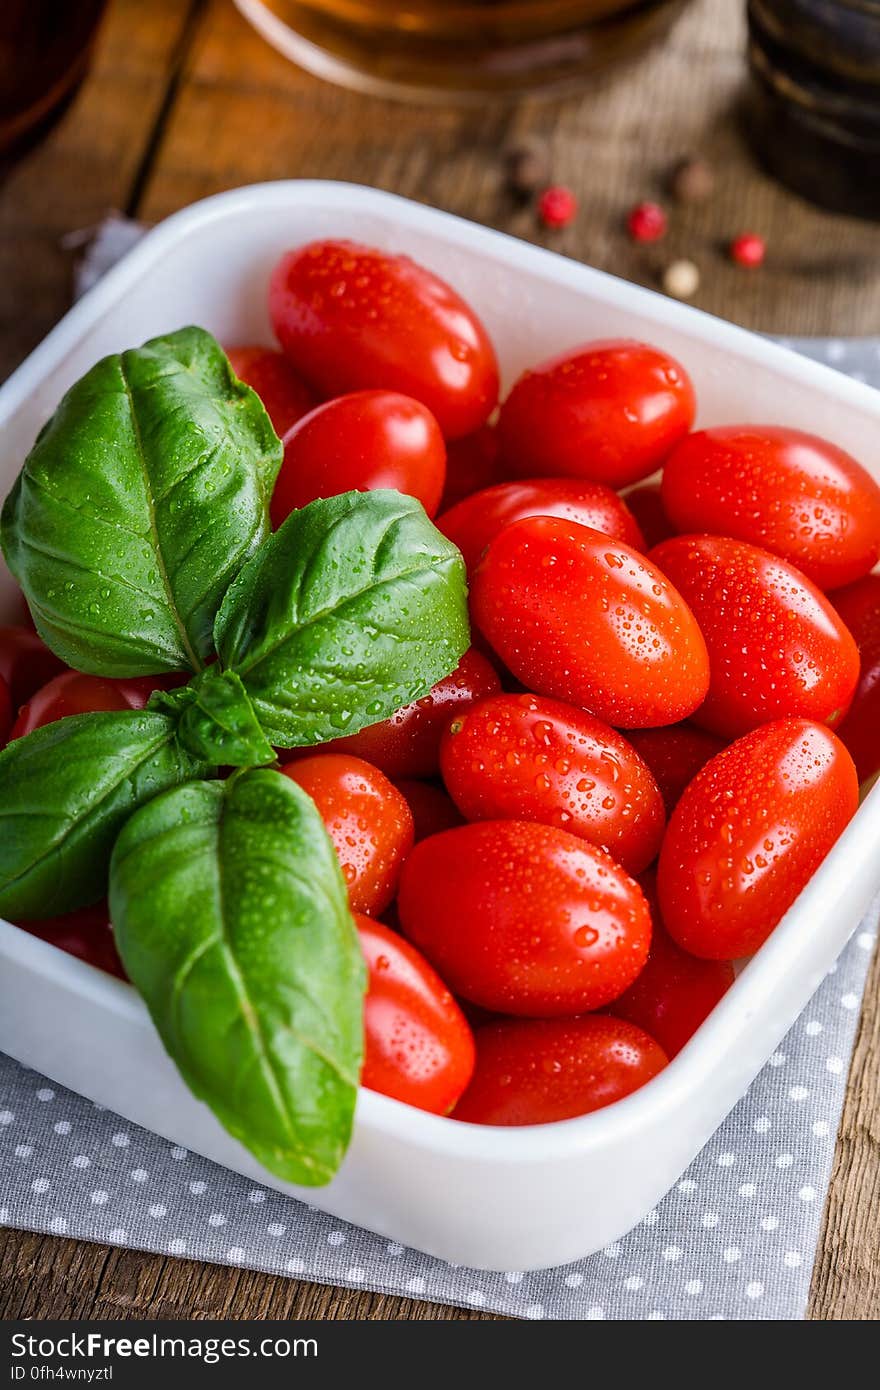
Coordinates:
[432,48]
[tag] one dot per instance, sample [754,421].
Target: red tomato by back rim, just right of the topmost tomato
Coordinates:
[607,411]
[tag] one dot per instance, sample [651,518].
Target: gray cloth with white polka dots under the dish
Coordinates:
[735,1239]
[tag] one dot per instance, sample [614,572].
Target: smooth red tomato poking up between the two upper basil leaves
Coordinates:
[357,444]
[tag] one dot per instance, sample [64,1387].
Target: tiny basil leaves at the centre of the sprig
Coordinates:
[216,721]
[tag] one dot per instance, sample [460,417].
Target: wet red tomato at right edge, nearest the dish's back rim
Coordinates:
[786,491]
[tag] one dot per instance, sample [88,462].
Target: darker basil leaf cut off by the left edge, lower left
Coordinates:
[66,792]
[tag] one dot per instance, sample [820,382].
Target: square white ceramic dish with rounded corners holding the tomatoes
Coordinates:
[490,1197]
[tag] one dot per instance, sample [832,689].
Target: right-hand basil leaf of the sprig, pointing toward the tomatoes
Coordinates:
[355,607]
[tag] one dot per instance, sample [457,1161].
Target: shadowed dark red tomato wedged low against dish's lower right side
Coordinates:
[676,992]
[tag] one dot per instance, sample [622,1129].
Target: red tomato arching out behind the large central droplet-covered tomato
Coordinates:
[478,519]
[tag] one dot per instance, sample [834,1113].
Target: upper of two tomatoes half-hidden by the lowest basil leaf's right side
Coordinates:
[368,821]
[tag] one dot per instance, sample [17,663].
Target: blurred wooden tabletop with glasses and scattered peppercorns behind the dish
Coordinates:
[144,106]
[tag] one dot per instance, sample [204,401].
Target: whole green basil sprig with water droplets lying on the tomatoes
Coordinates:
[140,533]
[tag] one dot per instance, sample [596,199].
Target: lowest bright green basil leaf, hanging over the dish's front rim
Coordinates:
[233,921]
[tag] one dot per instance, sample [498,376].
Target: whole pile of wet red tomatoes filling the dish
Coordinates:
[633,772]
